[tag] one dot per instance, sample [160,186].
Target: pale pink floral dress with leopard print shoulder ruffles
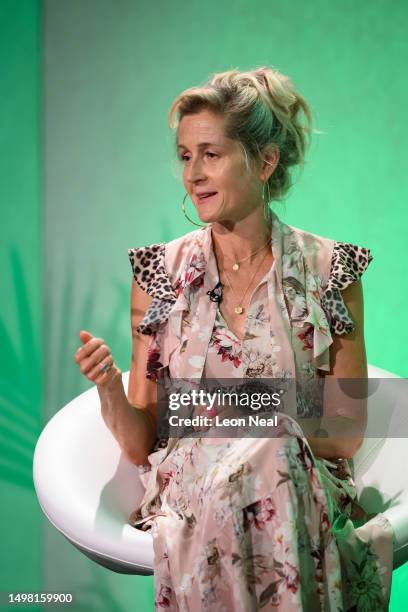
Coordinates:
[247,523]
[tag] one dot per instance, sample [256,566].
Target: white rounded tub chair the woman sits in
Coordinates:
[87,487]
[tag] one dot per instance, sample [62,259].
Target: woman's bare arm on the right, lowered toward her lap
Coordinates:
[345,415]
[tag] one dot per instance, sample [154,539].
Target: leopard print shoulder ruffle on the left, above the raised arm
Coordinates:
[150,274]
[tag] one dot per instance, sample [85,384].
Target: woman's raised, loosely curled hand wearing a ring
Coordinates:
[95,360]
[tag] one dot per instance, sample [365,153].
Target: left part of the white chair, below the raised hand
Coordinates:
[87,487]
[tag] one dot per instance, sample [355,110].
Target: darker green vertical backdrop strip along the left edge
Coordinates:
[21,290]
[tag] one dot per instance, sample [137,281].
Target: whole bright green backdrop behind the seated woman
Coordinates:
[88,170]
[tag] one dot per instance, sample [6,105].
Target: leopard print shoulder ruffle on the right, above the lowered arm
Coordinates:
[348,264]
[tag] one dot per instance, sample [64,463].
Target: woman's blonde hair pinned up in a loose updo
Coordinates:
[260,107]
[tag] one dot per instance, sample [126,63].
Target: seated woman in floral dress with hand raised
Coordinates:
[244,523]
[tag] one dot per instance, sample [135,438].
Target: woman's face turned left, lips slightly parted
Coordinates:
[214,164]
